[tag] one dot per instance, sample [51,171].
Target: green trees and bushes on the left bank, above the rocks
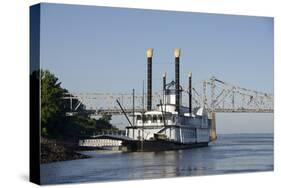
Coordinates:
[54,122]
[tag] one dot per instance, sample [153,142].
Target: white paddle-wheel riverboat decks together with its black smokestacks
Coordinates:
[171,121]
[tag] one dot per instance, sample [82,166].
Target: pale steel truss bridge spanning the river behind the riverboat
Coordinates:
[215,95]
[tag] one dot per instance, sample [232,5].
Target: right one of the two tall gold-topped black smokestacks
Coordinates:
[177,78]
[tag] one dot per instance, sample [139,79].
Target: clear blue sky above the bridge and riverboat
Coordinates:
[99,49]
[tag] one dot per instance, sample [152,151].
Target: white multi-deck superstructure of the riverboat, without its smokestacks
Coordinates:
[165,122]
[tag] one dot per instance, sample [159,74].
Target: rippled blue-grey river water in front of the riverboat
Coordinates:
[229,154]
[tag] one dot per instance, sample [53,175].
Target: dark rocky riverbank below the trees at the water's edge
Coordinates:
[54,150]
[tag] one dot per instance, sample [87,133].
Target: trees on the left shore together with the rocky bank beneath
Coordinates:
[60,133]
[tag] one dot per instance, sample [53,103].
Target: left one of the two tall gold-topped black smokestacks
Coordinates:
[149,54]
